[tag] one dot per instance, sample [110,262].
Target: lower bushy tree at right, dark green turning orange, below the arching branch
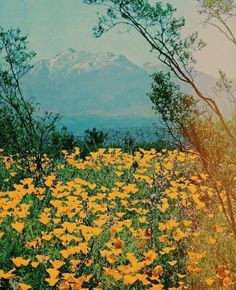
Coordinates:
[187,121]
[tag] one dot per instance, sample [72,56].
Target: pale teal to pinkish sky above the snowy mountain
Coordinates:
[54,26]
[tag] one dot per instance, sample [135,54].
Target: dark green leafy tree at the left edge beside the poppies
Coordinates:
[23,132]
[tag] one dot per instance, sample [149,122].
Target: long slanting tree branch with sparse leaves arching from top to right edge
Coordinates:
[158,25]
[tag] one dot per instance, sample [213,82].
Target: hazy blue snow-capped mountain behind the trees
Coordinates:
[96,89]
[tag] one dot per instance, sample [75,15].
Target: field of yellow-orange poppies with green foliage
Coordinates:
[114,221]
